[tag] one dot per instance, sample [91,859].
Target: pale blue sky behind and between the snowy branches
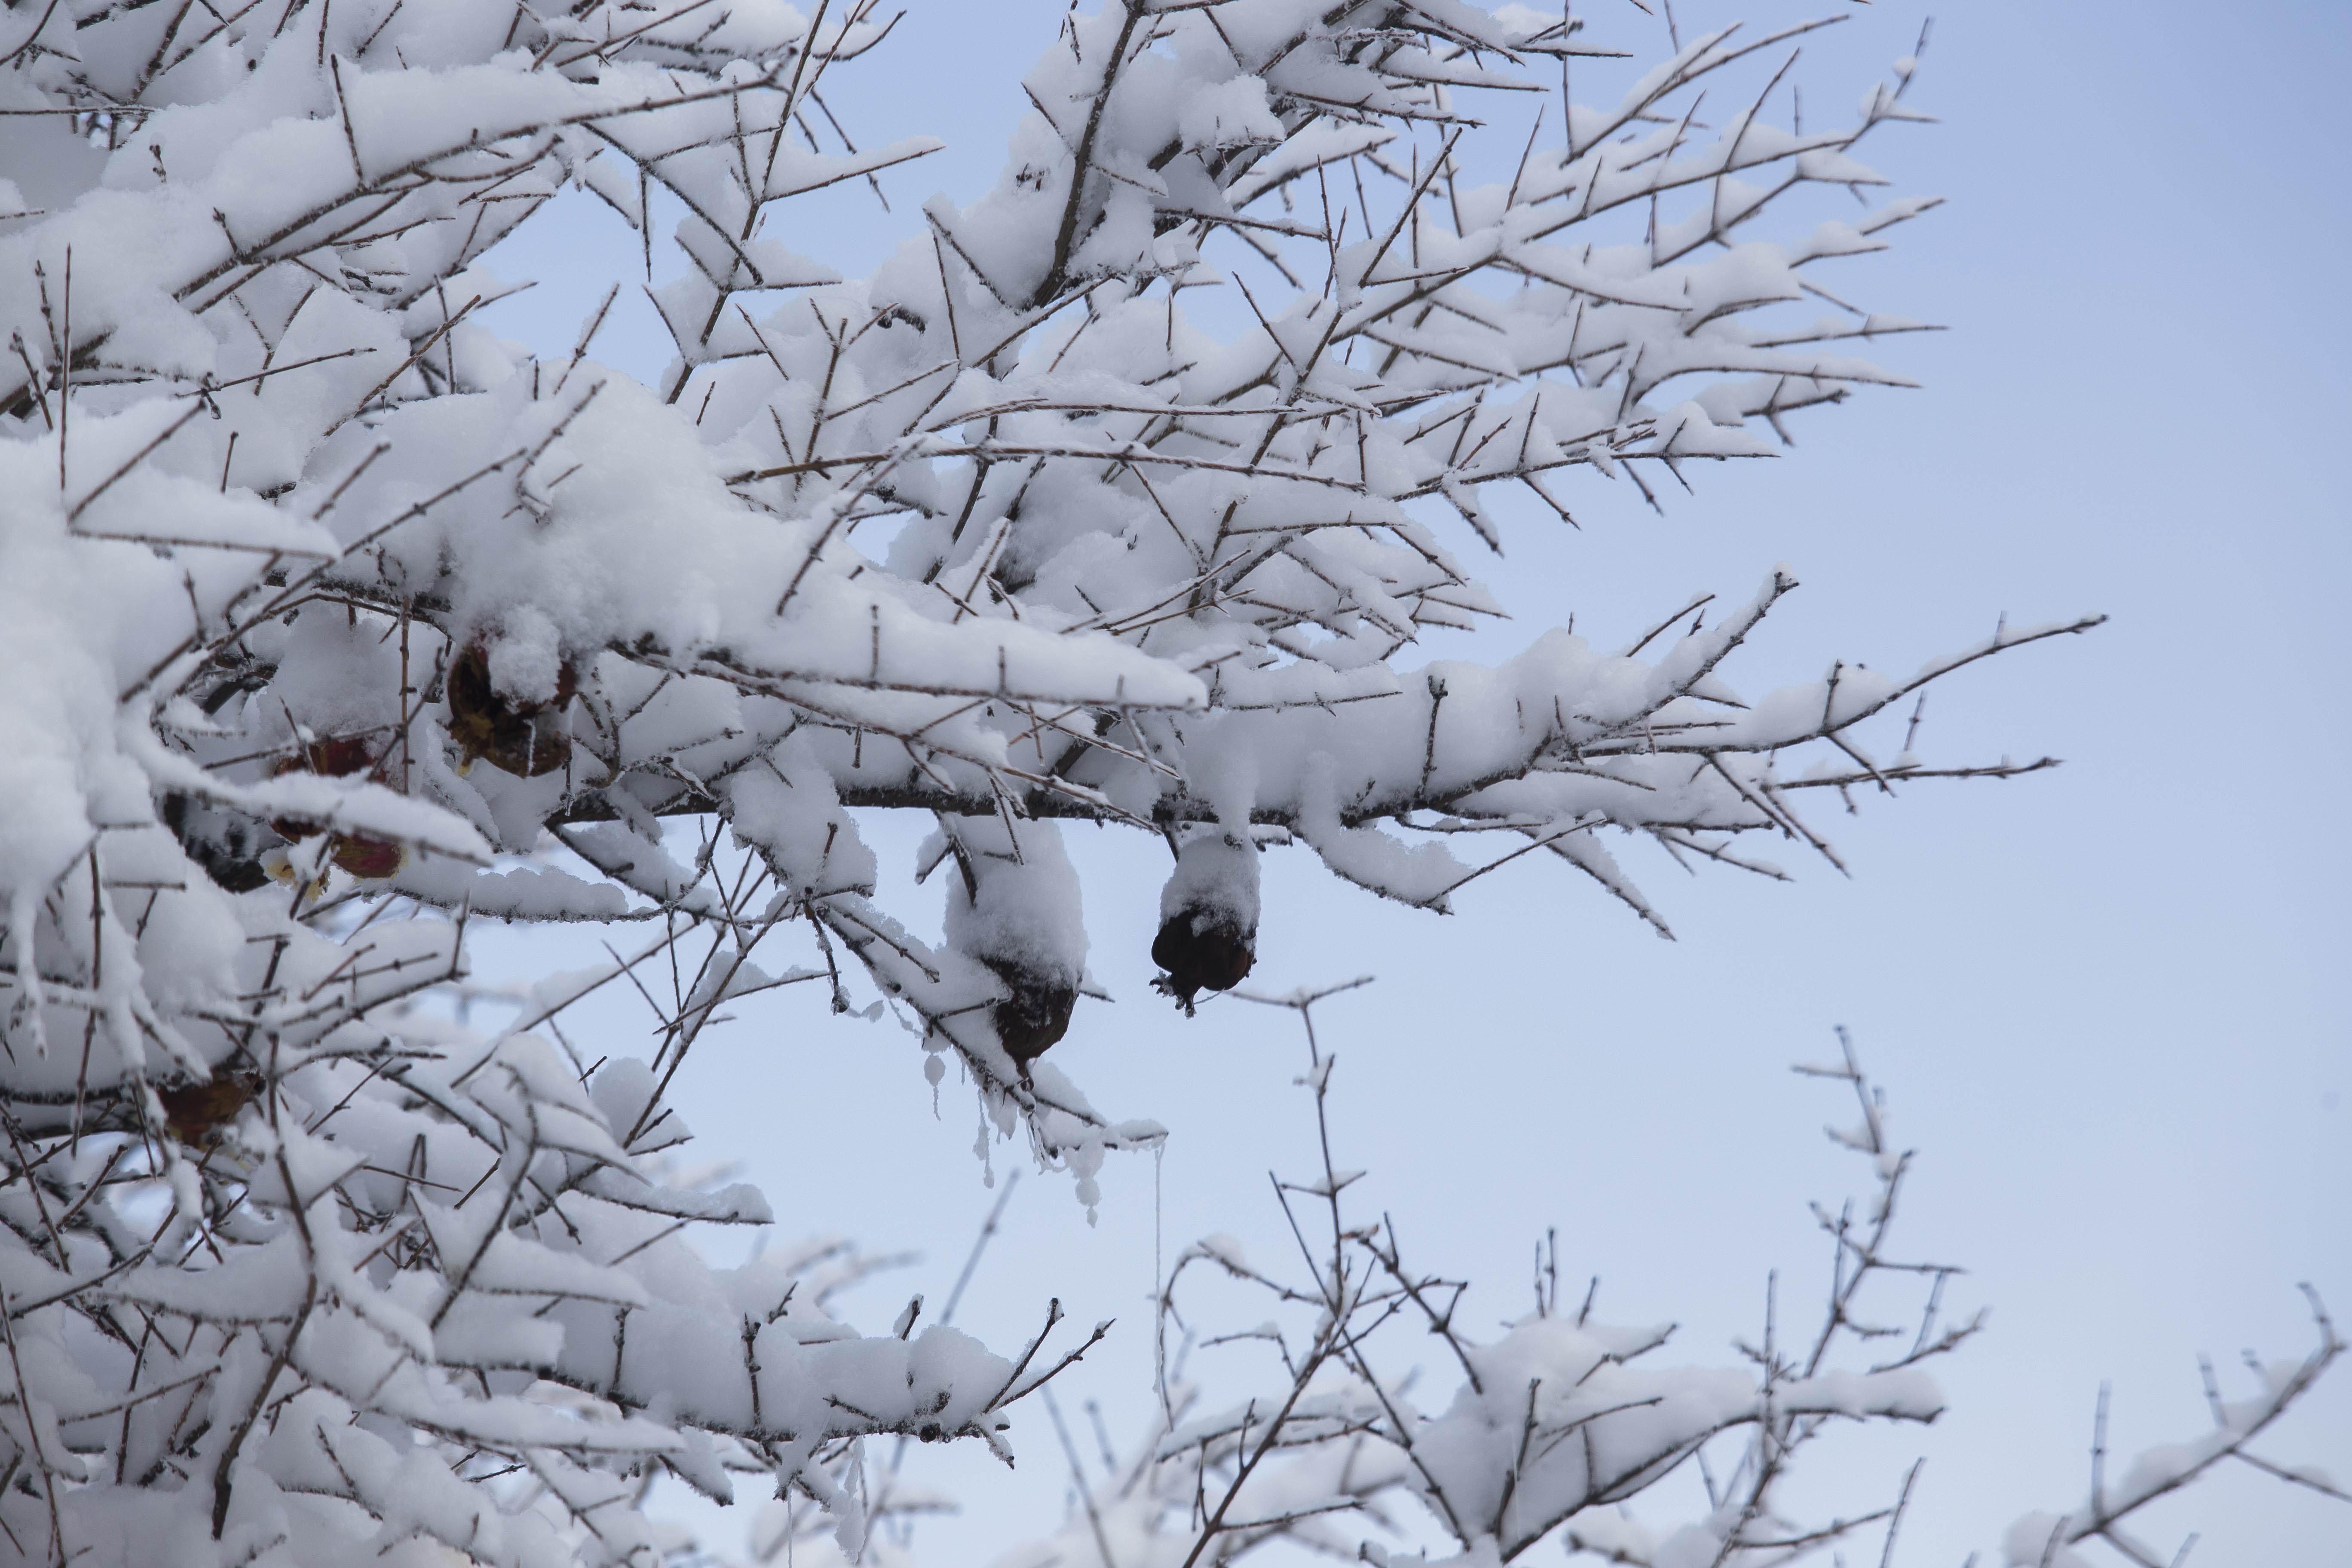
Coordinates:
[2109,1003]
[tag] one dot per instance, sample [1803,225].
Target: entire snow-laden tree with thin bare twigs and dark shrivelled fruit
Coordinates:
[330,622]
